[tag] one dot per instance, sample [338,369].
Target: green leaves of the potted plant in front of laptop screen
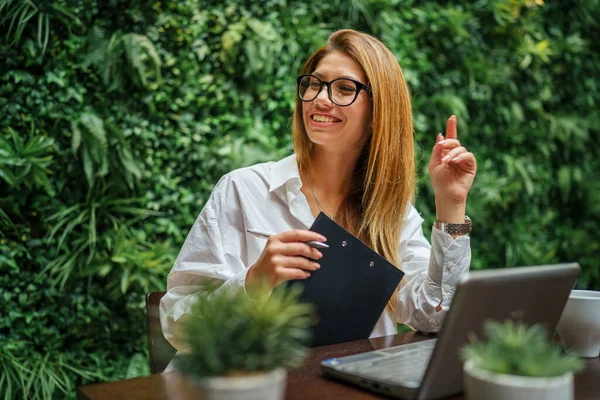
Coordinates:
[516,349]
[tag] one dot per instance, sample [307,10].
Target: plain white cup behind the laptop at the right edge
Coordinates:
[579,325]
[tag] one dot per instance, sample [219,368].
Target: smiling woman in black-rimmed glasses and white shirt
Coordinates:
[354,161]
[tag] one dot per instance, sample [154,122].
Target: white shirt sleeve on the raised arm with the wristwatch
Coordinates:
[431,273]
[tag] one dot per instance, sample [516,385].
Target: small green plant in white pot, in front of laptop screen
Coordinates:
[517,362]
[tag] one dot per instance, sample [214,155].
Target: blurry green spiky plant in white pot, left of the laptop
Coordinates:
[239,347]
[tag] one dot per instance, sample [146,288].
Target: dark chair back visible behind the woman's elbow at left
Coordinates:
[160,350]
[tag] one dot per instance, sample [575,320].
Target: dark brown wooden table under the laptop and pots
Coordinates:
[304,383]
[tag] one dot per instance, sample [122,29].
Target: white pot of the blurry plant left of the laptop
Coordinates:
[263,386]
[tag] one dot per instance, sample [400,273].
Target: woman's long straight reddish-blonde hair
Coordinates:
[383,181]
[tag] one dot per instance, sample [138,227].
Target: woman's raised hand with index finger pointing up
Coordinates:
[452,168]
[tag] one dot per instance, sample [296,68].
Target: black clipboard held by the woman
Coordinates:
[350,290]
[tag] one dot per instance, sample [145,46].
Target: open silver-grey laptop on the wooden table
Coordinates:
[432,369]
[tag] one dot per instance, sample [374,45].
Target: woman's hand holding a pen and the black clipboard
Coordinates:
[286,257]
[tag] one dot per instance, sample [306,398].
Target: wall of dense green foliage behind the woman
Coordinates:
[117,118]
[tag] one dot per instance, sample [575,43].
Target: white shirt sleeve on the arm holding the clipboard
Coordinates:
[213,251]
